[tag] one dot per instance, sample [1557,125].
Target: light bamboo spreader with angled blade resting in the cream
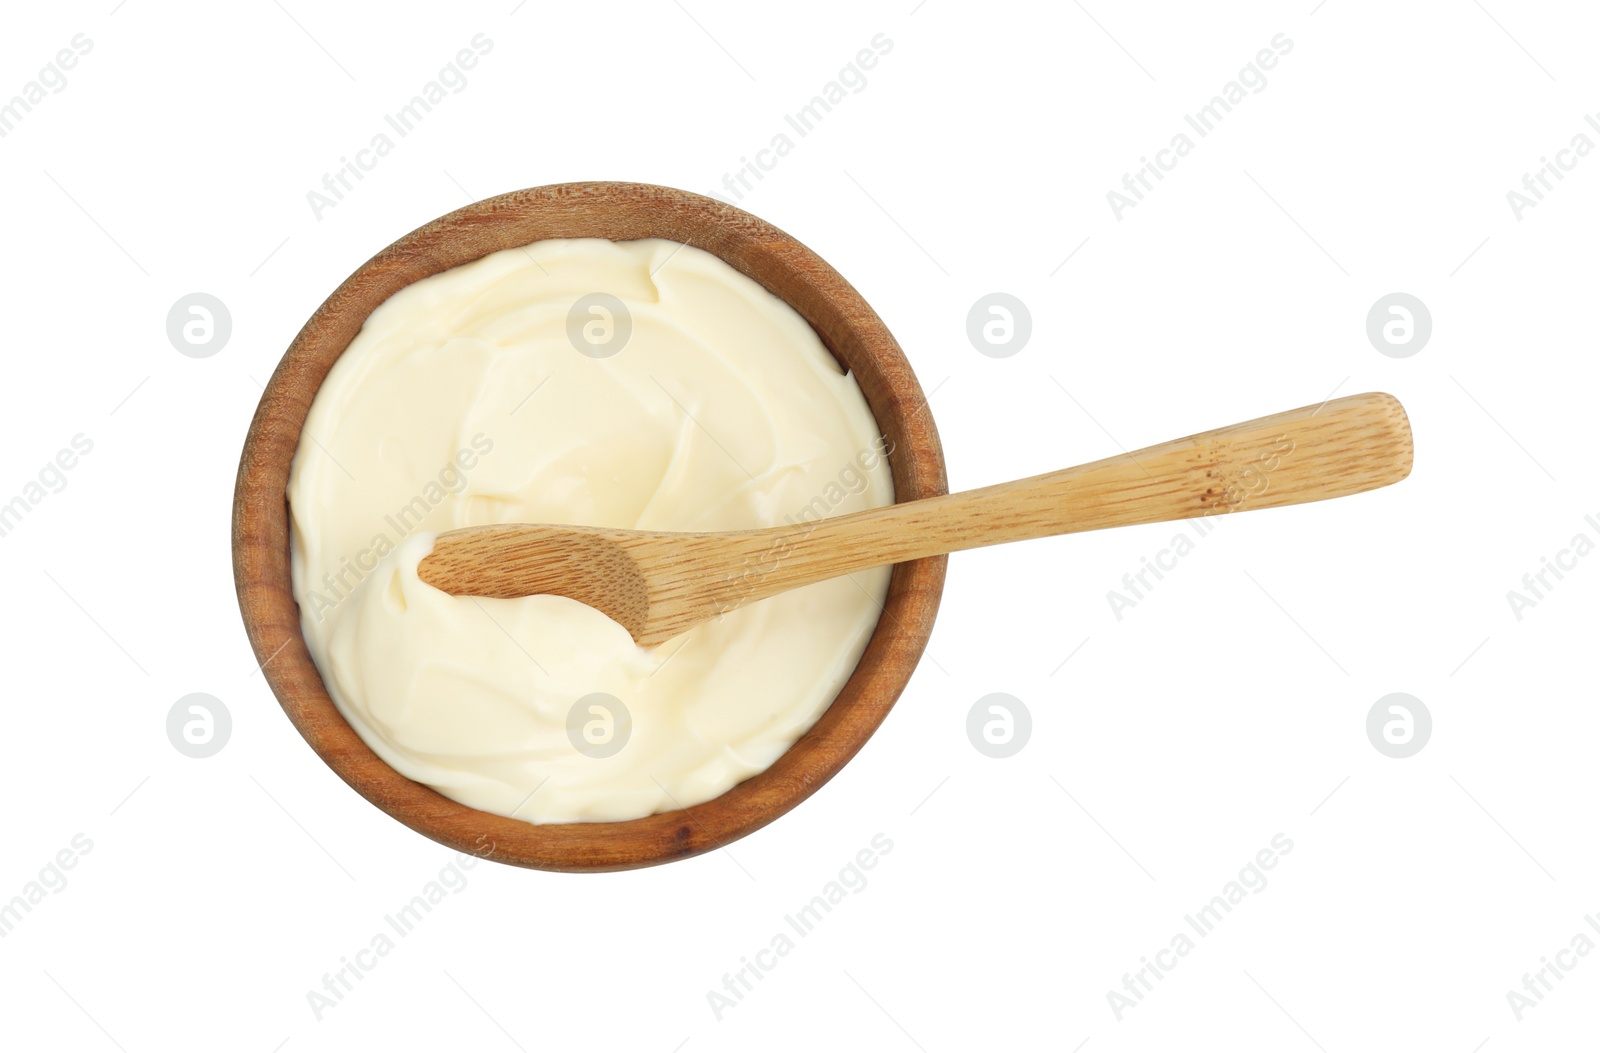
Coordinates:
[660,585]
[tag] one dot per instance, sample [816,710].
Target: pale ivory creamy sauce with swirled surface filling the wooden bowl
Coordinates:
[465,402]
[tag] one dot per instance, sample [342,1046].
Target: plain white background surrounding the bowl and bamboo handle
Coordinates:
[1226,708]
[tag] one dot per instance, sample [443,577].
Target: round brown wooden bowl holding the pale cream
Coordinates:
[618,212]
